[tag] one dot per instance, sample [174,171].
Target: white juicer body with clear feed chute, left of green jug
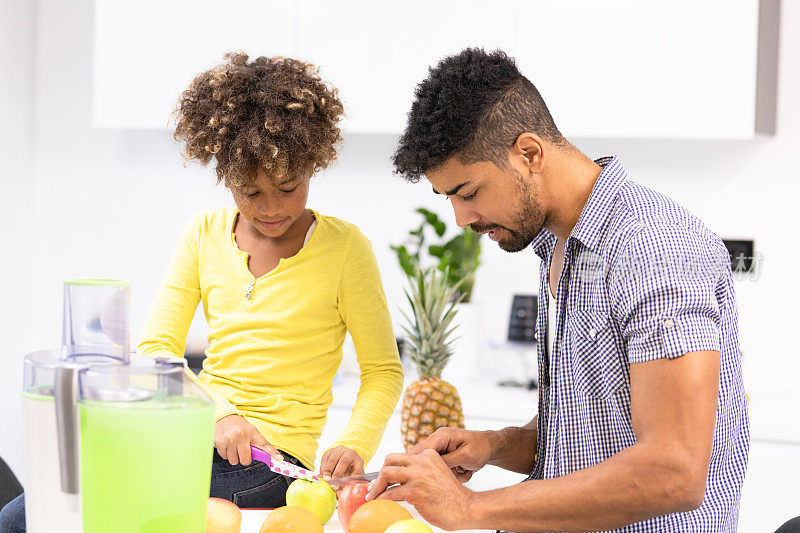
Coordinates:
[95,333]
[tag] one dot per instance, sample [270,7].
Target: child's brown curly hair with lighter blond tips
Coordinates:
[272,112]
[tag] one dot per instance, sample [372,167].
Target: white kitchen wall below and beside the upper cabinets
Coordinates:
[112,203]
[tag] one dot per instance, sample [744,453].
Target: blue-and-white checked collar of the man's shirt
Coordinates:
[594,213]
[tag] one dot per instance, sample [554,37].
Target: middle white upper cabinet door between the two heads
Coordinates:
[377,53]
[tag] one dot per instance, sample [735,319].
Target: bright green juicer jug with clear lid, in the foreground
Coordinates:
[145,445]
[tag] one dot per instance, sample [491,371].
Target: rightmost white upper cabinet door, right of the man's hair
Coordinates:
[678,69]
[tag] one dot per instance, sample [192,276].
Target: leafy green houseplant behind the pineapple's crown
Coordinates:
[457,257]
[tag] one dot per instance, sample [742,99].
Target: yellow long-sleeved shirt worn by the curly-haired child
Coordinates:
[275,342]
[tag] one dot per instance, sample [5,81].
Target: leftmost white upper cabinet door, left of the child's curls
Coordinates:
[147,52]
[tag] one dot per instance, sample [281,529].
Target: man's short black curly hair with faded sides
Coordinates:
[472,105]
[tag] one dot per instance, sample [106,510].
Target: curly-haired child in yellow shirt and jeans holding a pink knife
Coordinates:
[280,284]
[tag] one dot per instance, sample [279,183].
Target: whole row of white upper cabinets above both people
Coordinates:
[624,68]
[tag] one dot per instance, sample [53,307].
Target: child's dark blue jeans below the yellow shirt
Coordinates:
[246,486]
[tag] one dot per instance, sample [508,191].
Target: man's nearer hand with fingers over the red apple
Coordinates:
[425,481]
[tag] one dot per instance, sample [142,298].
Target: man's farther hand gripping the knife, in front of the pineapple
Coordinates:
[464,451]
